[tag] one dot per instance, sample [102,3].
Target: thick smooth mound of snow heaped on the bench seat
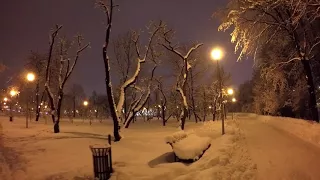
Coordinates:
[191,147]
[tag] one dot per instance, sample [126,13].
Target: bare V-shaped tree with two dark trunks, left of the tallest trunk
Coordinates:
[66,67]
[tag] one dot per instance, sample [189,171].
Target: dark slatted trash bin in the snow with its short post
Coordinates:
[102,161]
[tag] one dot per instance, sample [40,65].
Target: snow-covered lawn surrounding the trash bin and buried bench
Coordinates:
[141,154]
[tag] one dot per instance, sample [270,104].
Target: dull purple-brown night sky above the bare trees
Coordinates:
[25,26]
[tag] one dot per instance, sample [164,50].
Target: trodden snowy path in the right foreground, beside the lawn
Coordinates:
[280,155]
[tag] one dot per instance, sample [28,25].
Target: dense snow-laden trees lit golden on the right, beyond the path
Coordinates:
[284,40]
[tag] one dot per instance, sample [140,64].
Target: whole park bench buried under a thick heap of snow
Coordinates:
[188,147]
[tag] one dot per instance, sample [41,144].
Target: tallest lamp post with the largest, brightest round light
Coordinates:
[216,55]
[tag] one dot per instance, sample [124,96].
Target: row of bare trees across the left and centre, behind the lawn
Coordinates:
[141,83]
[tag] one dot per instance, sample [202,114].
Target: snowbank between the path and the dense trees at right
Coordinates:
[307,130]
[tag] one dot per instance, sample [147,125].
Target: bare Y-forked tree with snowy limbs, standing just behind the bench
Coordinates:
[181,80]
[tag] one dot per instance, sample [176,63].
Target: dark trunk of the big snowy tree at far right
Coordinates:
[311,90]
